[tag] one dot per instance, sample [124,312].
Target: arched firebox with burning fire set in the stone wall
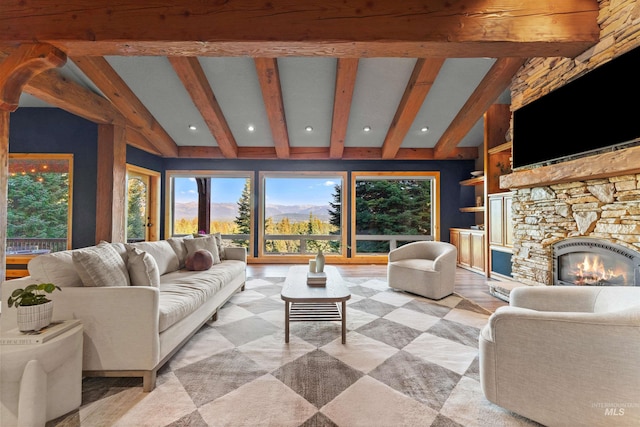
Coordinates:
[595,262]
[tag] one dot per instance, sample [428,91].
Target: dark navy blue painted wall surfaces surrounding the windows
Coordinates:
[50,130]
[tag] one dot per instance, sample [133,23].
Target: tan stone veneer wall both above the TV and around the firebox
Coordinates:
[604,208]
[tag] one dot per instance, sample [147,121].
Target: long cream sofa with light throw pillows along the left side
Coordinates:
[137,308]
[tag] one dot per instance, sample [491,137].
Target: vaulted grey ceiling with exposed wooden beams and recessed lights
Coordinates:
[109,43]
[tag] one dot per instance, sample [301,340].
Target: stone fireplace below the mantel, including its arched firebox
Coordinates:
[599,216]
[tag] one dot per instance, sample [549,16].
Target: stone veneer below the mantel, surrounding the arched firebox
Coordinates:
[605,208]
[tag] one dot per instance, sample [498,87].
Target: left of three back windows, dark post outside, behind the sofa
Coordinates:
[229,196]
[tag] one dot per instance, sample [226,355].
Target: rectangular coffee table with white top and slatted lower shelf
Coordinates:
[304,303]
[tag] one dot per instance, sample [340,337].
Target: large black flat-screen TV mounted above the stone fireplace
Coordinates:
[596,111]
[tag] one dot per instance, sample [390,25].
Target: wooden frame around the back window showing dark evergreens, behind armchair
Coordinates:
[434,176]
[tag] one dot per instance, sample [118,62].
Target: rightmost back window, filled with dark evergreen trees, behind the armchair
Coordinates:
[393,208]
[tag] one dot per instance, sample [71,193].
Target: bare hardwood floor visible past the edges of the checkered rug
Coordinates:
[468,284]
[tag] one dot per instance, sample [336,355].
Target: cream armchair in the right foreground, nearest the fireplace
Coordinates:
[565,356]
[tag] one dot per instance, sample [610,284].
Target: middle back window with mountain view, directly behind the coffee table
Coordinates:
[301,213]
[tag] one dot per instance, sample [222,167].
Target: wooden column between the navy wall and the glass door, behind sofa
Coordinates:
[111,194]
